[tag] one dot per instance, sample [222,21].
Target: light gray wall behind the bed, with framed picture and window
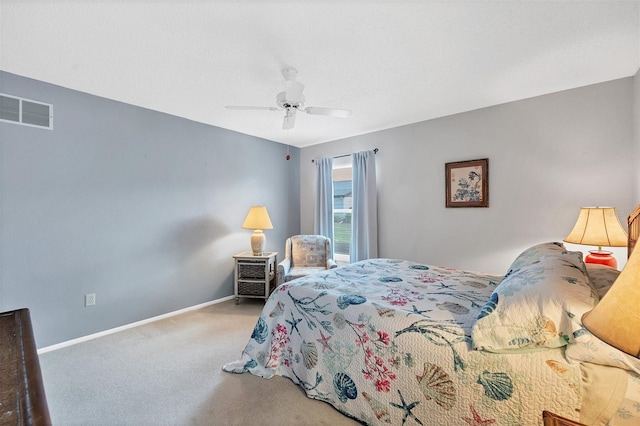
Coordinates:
[548,156]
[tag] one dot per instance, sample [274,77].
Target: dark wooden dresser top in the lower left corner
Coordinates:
[22,398]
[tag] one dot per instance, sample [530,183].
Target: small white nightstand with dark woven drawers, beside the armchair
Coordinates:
[254,276]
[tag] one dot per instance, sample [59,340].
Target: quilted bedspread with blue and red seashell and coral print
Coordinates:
[388,342]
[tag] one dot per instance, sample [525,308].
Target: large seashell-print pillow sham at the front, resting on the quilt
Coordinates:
[537,306]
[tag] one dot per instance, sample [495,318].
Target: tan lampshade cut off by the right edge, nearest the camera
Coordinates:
[616,318]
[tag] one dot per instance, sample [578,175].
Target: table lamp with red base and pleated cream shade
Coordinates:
[598,226]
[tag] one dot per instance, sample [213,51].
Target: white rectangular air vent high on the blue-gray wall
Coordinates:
[26,112]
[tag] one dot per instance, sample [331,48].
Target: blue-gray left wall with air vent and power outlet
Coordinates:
[141,208]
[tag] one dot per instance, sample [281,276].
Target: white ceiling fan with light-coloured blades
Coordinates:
[292,100]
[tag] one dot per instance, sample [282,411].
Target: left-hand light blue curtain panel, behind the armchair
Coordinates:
[323,220]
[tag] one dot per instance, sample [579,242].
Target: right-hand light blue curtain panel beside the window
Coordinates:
[364,216]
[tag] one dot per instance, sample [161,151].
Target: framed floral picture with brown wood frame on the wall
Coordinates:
[467,183]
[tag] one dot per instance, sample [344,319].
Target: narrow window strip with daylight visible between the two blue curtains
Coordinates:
[342,205]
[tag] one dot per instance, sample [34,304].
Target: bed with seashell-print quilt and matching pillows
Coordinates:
[389,341]
